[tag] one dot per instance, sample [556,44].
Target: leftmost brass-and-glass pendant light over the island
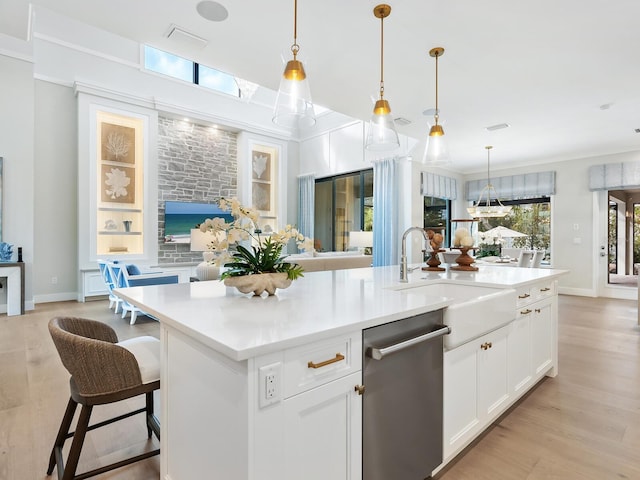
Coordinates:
[294,108]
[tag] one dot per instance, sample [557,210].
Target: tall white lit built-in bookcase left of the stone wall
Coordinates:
[117,185]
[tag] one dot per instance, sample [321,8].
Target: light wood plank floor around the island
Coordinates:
[582,425]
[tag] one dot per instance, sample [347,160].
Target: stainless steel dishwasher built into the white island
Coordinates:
[402,403]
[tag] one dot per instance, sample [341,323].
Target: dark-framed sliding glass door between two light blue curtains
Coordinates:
[343,204]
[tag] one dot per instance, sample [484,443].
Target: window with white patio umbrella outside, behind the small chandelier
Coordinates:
[531,217]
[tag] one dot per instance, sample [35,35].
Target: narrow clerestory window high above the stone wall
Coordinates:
[189,71]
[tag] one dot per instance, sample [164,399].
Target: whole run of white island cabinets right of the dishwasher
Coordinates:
[485,376]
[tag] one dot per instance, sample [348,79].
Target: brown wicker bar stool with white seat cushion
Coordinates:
[103,371]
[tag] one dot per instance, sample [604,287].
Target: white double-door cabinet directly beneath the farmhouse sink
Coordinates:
[475,388]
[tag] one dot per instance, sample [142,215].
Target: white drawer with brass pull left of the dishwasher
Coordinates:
[312,365]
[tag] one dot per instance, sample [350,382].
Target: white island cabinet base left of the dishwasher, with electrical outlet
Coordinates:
[304,422]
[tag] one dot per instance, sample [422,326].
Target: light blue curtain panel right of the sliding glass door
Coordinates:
[385,212]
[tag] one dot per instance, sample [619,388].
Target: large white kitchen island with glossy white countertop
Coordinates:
[269,387]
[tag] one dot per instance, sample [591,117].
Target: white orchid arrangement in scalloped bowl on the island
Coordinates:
[246,251]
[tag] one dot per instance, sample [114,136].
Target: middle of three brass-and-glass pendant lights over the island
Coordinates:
[382,133]
